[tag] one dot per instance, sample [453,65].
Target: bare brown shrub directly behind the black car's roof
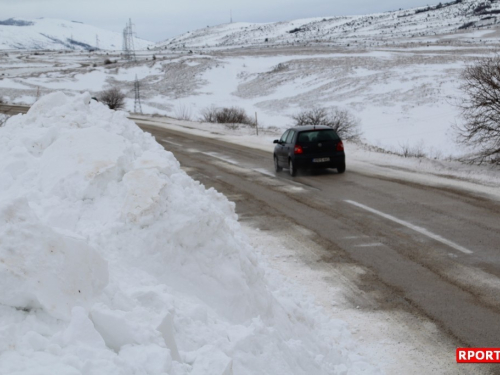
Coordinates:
[341,120]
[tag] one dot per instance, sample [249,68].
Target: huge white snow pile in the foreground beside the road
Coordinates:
[114,261]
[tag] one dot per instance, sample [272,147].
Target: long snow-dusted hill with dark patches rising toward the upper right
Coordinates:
[368,30]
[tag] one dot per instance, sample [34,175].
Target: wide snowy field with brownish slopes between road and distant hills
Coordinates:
[404,98]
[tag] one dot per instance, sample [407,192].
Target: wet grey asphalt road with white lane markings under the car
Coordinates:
[434,252]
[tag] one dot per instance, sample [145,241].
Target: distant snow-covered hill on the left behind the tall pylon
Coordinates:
[54,34]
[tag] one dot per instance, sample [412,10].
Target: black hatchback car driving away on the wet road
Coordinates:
[309,147]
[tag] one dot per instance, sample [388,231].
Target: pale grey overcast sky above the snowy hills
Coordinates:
[157,20]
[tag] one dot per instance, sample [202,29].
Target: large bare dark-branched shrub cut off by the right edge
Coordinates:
[481,110]
